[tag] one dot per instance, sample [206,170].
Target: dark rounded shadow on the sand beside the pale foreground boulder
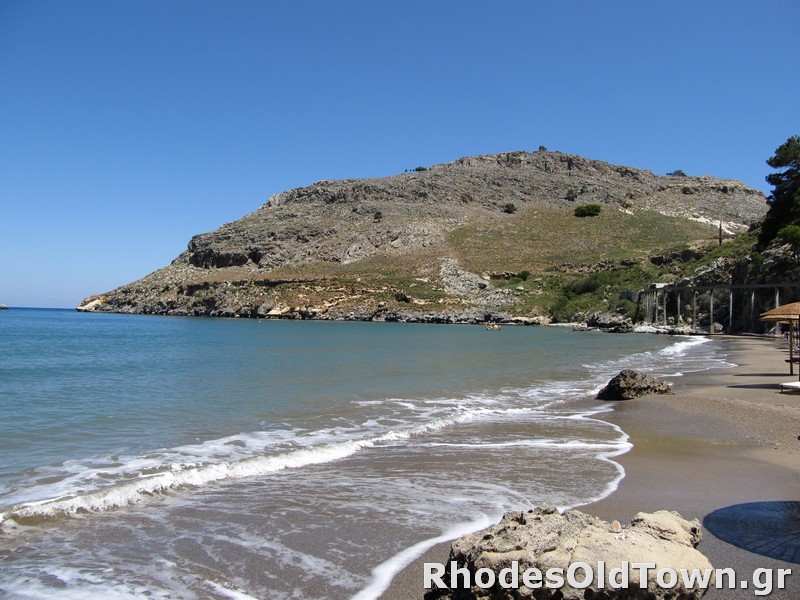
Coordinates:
[767,528]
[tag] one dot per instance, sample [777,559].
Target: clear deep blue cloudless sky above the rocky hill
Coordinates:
[128,127]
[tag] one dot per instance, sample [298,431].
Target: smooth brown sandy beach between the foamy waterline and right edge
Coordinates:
[725,450]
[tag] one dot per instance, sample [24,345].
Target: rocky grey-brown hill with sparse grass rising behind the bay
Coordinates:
[462,241]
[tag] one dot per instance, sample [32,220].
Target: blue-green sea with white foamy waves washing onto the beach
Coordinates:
[169,457]
